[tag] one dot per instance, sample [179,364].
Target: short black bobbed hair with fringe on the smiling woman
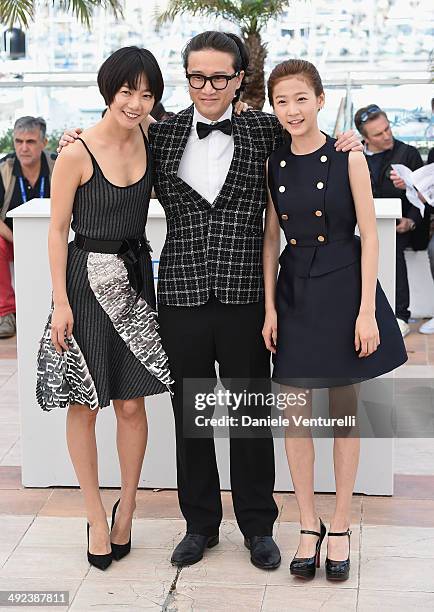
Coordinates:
[128,65]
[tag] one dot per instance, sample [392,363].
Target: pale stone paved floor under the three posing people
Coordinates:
[42,540]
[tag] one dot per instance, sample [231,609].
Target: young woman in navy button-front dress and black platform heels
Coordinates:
[328,322]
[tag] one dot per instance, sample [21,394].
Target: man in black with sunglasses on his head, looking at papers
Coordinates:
[382,150]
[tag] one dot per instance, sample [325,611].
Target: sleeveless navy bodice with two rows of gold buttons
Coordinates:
[313,200]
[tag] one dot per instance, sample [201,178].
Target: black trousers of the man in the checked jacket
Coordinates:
[195,338]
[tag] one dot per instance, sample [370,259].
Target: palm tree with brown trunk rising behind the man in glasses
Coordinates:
[251,16]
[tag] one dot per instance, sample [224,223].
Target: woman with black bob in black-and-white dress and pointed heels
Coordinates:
[103,323]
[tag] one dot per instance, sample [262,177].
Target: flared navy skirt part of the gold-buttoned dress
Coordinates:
[316,324]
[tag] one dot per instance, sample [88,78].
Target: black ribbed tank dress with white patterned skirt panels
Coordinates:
[115,352]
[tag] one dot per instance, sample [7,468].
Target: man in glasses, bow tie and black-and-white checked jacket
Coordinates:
[209,175]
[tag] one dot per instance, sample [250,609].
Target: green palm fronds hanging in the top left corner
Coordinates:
[21,12]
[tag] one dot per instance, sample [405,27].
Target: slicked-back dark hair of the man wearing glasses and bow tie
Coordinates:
[220,41]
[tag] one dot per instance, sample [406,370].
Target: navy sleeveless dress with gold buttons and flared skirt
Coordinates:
[319,286]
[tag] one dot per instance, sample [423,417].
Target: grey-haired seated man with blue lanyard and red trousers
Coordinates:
[24,175]
